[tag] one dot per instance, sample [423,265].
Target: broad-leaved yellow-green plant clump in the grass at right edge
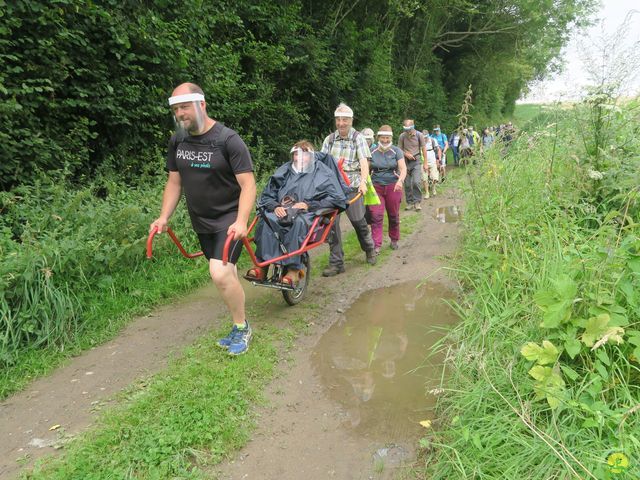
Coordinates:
[590,358]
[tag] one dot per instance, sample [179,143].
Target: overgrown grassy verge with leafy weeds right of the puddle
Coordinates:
[543,372]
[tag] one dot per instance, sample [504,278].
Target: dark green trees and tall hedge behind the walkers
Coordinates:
[86,83]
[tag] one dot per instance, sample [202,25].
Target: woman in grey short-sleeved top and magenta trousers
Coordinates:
[388,171]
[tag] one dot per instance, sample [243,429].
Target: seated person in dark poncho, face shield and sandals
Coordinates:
[307,183]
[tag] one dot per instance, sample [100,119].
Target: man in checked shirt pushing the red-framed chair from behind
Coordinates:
[349,148]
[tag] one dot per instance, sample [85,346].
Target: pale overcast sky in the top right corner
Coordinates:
[583,50]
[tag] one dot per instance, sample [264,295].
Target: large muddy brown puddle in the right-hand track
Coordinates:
[368,362]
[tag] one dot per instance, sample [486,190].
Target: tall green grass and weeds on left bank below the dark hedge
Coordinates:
[59,248]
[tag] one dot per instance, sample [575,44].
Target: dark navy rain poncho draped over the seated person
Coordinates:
[319,188]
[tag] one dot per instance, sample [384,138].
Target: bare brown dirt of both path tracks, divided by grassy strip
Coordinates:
[304,433]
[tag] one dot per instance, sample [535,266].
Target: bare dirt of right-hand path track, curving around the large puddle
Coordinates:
[307,432]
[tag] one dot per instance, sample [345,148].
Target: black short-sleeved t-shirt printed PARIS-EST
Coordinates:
[208,178]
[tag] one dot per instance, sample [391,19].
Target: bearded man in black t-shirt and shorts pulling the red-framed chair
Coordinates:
[213,166]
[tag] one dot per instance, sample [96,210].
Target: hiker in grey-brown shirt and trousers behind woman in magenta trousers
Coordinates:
[413,144]
